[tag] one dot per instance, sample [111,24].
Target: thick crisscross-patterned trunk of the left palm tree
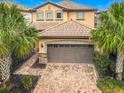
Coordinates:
[5,64]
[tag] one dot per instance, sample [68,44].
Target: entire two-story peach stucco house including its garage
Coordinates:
[64,31]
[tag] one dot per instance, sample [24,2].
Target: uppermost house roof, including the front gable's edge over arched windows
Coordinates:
[68,5]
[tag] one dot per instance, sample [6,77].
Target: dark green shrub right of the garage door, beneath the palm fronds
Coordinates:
[103,64]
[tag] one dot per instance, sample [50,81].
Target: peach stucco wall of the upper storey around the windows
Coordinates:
[88,21]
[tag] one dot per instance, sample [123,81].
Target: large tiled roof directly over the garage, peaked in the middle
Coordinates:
[69,28]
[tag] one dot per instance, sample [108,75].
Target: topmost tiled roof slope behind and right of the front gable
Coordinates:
[69,5]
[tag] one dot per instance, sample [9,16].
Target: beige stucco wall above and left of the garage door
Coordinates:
[43,43]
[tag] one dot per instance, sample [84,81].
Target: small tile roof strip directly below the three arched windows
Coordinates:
[44,25]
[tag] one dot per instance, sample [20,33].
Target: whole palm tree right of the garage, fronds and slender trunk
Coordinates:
[109,36]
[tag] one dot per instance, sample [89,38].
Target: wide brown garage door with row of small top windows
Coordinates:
[64,53]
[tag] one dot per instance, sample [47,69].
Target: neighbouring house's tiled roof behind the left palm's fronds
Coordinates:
[19,6]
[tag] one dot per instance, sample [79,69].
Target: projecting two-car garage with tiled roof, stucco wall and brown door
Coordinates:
[68,42]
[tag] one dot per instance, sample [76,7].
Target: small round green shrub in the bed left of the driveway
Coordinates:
[26,81]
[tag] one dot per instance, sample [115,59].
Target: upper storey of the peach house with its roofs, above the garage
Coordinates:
[49,14]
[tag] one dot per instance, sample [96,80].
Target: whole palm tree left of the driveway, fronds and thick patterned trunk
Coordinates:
[15,38]
